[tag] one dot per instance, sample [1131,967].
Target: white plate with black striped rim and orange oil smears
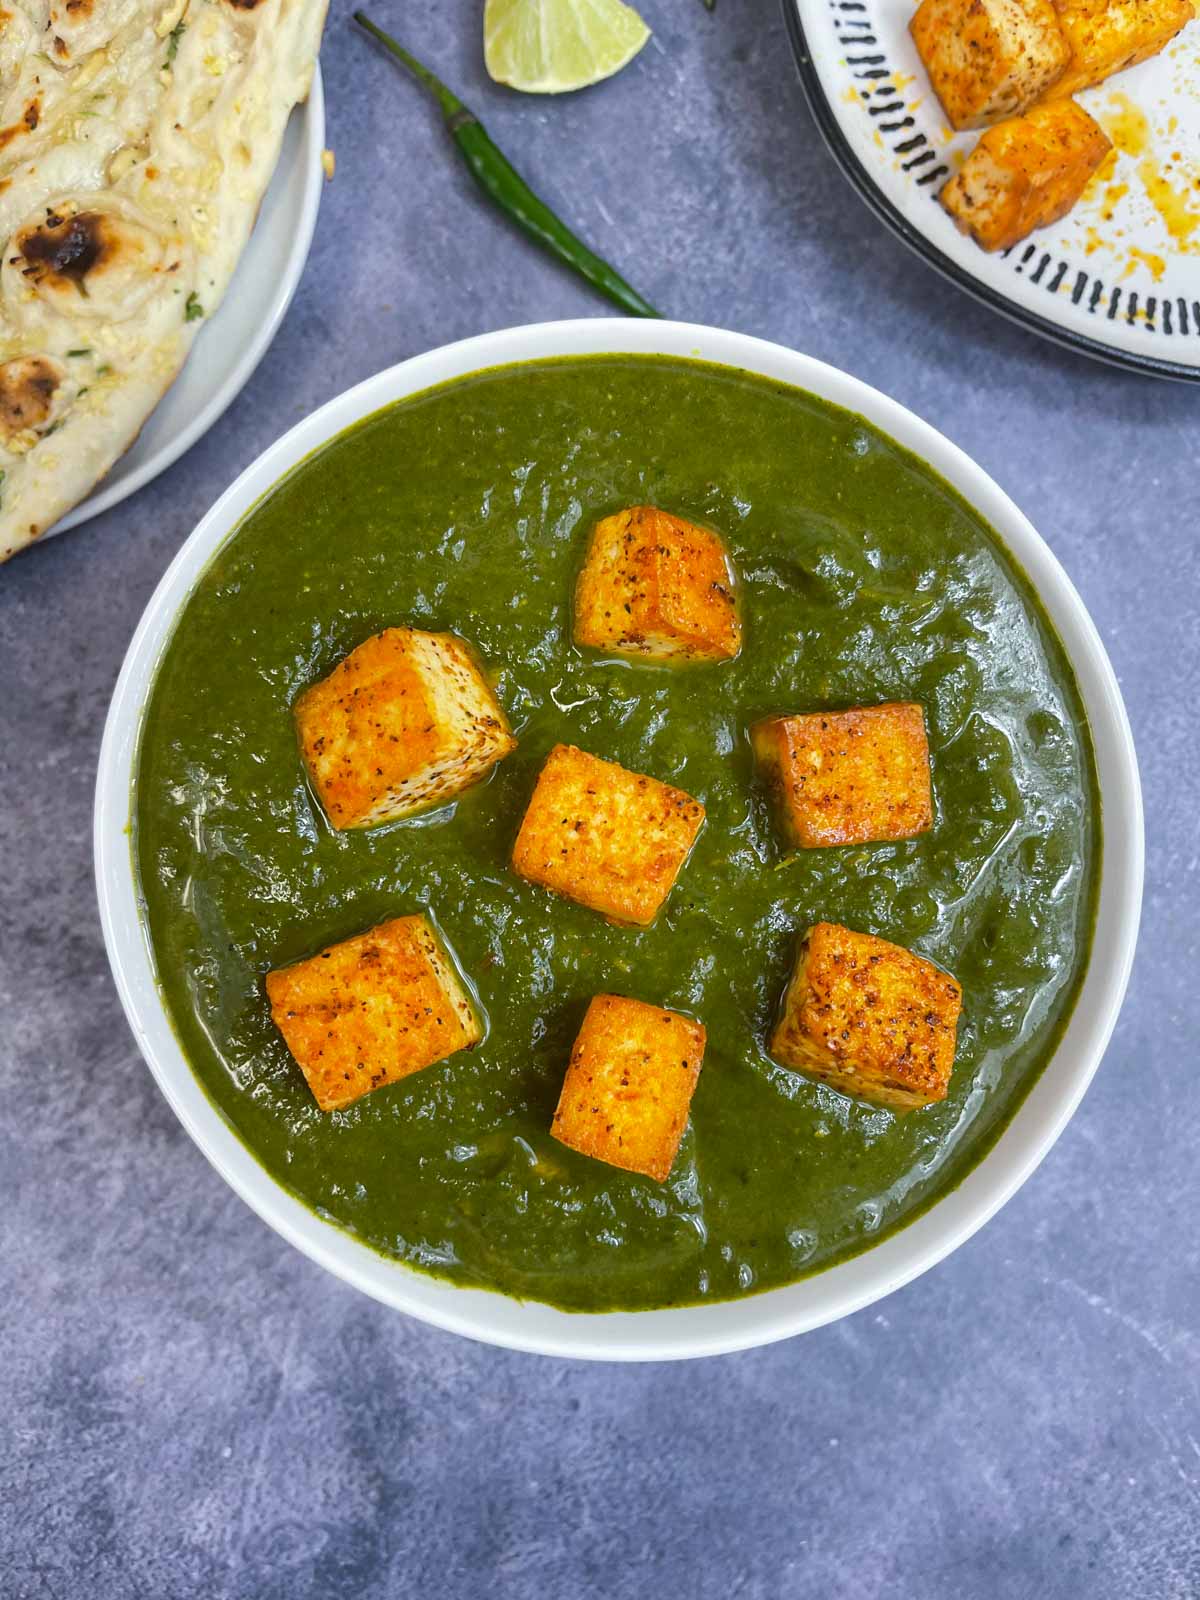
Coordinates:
[1119,278]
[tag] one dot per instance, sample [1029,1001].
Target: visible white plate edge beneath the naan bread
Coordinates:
[241,334]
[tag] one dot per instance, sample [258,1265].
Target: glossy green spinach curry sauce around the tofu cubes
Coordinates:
[863,580]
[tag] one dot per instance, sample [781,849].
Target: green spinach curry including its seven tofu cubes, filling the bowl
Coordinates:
[732,929]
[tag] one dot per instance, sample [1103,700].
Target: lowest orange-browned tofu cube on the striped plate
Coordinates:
[1025,174]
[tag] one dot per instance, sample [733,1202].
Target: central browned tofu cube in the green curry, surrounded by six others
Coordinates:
[606,838]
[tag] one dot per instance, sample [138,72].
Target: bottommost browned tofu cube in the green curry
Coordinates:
[630,1086]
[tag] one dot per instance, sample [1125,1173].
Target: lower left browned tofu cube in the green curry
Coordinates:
[372,1010]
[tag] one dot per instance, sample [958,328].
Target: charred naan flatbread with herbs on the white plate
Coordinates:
[137,142]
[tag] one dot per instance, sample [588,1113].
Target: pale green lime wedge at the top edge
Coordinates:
[548,47]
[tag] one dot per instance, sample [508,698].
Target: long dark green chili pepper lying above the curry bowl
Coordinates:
[508,190]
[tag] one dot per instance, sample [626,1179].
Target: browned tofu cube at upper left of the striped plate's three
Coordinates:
[988,58]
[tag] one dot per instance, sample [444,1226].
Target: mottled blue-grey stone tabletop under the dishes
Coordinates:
[188,1407]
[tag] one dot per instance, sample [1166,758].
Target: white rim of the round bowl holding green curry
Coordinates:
[682,1332]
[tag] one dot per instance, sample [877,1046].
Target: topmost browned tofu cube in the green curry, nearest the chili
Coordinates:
[655,586]
